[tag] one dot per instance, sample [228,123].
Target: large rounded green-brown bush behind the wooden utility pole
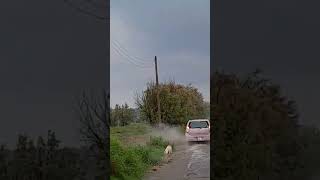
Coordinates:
[178,103]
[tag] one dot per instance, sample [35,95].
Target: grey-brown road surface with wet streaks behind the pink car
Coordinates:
[189,162]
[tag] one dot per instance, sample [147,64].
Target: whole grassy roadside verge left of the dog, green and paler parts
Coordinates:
[133,151]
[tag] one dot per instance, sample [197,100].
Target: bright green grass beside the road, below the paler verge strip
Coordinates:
[132,162]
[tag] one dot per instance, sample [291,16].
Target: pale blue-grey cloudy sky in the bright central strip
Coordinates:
[176,31]
